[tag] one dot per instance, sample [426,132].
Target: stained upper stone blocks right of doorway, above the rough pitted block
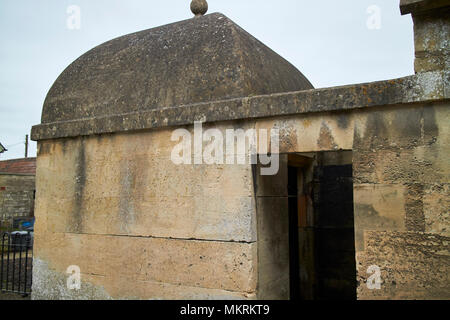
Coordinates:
[403,149]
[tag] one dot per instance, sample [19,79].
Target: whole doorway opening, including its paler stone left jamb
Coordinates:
[305,227]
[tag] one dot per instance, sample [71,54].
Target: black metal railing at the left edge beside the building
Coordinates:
[16,262]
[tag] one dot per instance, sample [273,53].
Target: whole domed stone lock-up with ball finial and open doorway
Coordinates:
[112,202]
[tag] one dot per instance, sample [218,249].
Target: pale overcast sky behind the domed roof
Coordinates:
[327,40]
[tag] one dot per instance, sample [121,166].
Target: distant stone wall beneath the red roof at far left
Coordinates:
[16,197]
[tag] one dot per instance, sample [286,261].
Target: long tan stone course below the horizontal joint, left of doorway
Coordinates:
[205,264]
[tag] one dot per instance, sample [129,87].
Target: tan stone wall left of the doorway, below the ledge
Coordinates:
[139,226]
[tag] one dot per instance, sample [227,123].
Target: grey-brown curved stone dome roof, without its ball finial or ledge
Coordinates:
[203,59]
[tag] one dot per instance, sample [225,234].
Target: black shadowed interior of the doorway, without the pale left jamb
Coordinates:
[321,226]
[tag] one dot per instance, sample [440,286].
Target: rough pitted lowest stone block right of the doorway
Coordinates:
[413,265]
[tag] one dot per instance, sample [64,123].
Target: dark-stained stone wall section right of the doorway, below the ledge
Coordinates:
[401,192]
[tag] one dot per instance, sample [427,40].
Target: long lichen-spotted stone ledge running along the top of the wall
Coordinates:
[424,87]
